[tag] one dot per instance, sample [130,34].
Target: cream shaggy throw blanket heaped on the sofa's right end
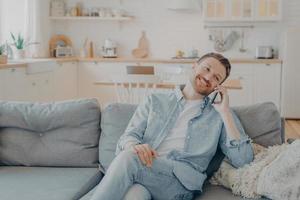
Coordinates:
[274,173]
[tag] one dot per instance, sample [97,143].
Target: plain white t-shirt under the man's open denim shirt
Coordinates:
[175,139]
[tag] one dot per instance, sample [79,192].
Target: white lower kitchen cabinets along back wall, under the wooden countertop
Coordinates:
[260,82]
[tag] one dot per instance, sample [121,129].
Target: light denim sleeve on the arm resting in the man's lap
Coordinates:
[136,127]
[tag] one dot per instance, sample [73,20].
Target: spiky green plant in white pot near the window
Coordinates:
[20,44]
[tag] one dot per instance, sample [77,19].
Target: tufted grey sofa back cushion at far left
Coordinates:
[50,134]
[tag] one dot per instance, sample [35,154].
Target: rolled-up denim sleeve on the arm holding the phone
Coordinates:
[239,152]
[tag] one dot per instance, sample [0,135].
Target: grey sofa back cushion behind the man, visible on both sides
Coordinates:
[261,122]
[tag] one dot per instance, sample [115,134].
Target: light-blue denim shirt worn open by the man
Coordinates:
[156,116]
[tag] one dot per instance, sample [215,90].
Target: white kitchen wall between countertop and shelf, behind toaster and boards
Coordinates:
[167,30]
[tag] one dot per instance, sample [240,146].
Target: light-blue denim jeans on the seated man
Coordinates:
[127,169]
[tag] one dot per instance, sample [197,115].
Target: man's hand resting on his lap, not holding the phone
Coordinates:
[145,153]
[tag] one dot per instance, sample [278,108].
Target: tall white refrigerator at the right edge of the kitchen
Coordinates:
[290,75]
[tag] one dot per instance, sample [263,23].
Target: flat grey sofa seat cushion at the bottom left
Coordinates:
[43,183]
